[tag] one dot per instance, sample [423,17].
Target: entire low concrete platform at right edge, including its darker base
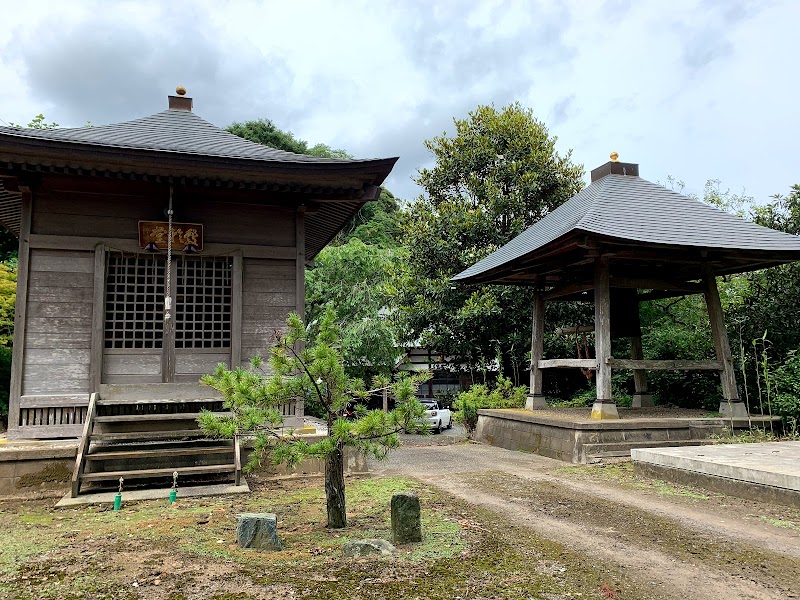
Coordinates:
[765,472]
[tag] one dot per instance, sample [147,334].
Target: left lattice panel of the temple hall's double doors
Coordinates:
[134,301]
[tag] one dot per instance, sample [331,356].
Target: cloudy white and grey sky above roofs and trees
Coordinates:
[696,90]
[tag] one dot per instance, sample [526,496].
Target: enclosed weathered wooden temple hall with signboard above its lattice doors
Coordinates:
[149,252]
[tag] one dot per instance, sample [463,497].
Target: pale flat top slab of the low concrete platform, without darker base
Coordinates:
[773,464]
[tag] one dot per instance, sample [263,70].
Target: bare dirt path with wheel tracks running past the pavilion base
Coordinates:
[677,546]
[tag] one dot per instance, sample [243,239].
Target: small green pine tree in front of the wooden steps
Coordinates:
[313,371]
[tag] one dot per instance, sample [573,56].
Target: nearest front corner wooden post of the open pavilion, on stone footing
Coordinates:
[604,407]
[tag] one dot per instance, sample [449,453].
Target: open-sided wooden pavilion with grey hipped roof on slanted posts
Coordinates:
[621,241]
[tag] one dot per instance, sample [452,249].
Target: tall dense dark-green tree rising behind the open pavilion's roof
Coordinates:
[495,177]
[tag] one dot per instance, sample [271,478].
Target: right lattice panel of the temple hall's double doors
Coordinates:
[203,302]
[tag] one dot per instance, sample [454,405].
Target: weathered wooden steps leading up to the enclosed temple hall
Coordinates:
[150,439]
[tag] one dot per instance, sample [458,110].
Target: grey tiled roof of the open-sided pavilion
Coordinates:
[634,209]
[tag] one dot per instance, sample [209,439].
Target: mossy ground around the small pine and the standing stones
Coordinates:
[188,551]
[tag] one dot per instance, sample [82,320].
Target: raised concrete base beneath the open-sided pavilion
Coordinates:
[581,440]
